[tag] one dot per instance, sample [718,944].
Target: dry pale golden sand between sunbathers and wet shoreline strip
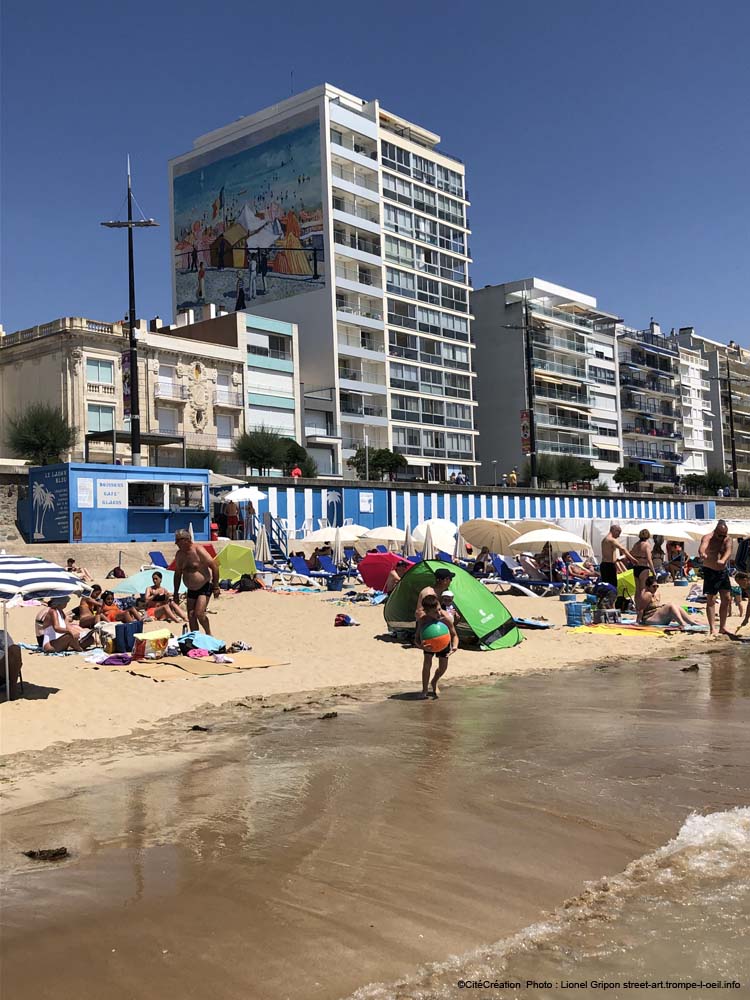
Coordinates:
[67,699]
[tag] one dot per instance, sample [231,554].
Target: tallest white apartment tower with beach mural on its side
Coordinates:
[329,212]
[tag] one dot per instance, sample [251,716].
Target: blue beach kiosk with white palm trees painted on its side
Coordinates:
[116,503]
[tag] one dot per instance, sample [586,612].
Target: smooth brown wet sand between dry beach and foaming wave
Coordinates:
[294,856]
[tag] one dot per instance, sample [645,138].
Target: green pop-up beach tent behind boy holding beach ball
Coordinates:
[483,616]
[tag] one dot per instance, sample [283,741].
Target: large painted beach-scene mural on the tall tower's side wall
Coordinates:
[249,227]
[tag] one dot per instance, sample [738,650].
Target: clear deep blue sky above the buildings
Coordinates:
[607,144]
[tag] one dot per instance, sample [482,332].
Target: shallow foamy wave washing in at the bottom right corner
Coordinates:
[681,911]
